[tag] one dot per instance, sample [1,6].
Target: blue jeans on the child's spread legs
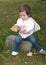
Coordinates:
[31,39]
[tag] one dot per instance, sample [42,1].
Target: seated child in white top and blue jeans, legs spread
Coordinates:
[27,27]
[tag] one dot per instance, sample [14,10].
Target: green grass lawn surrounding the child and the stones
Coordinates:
[8,17]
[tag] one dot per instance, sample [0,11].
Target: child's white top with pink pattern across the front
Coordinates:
[28,25]
